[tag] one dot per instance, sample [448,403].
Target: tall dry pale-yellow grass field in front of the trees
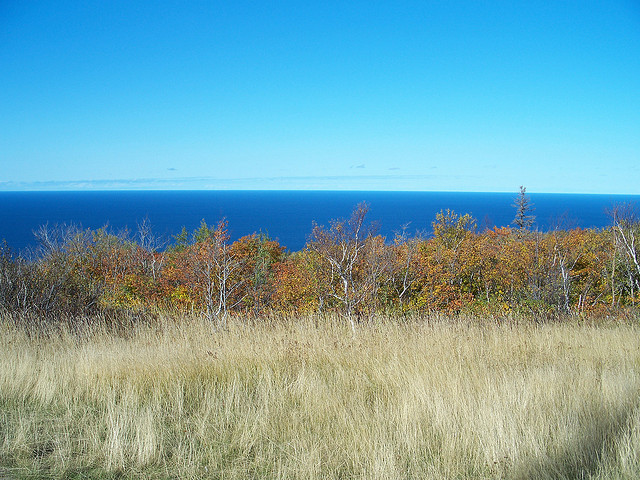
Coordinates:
[307,399]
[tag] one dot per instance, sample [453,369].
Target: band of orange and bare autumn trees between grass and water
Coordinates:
[345,267]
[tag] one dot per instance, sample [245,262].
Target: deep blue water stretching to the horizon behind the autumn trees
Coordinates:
[284,215]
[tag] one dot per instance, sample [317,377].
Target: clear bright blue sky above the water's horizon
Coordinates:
[391,95]
